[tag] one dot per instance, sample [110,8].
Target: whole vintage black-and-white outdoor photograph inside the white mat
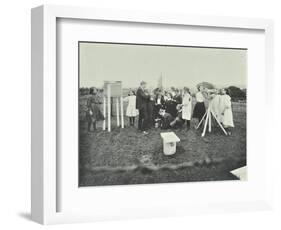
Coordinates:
[153,113]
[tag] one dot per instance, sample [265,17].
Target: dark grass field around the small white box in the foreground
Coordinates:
[126,156]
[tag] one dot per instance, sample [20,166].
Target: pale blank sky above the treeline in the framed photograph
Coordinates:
[179,66]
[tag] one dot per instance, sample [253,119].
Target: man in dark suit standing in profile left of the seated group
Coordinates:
[142,105]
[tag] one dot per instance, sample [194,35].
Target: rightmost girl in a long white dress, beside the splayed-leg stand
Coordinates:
[227,116]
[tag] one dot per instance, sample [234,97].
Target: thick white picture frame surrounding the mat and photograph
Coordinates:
[45,181]
